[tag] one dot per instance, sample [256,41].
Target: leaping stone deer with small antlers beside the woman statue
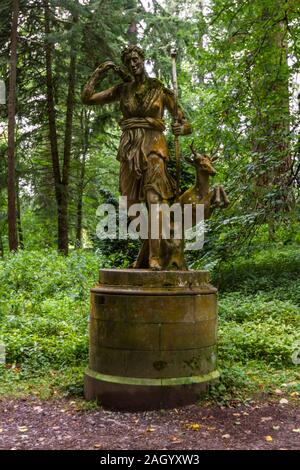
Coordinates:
[201,192]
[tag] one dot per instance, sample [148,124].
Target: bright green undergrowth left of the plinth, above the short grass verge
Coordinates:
[44,308]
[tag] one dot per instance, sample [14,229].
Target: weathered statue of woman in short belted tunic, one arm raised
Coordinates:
[143,148]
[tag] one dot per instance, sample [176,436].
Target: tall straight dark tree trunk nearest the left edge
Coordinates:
[11,189]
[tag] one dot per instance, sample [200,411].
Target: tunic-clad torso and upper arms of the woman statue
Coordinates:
[143,149]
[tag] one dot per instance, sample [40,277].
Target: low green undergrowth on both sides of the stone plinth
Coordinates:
[44,307]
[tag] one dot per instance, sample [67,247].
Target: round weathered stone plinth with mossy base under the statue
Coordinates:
[152,338]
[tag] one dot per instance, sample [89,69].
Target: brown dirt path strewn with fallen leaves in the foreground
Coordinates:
[61,424]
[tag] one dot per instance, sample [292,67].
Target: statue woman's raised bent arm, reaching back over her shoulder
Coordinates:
[110,95]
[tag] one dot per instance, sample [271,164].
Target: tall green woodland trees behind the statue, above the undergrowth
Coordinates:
[238,69]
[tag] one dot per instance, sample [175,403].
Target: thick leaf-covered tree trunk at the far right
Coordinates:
[271,146]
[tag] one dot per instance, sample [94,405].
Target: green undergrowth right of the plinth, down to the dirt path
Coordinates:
[259,324]
